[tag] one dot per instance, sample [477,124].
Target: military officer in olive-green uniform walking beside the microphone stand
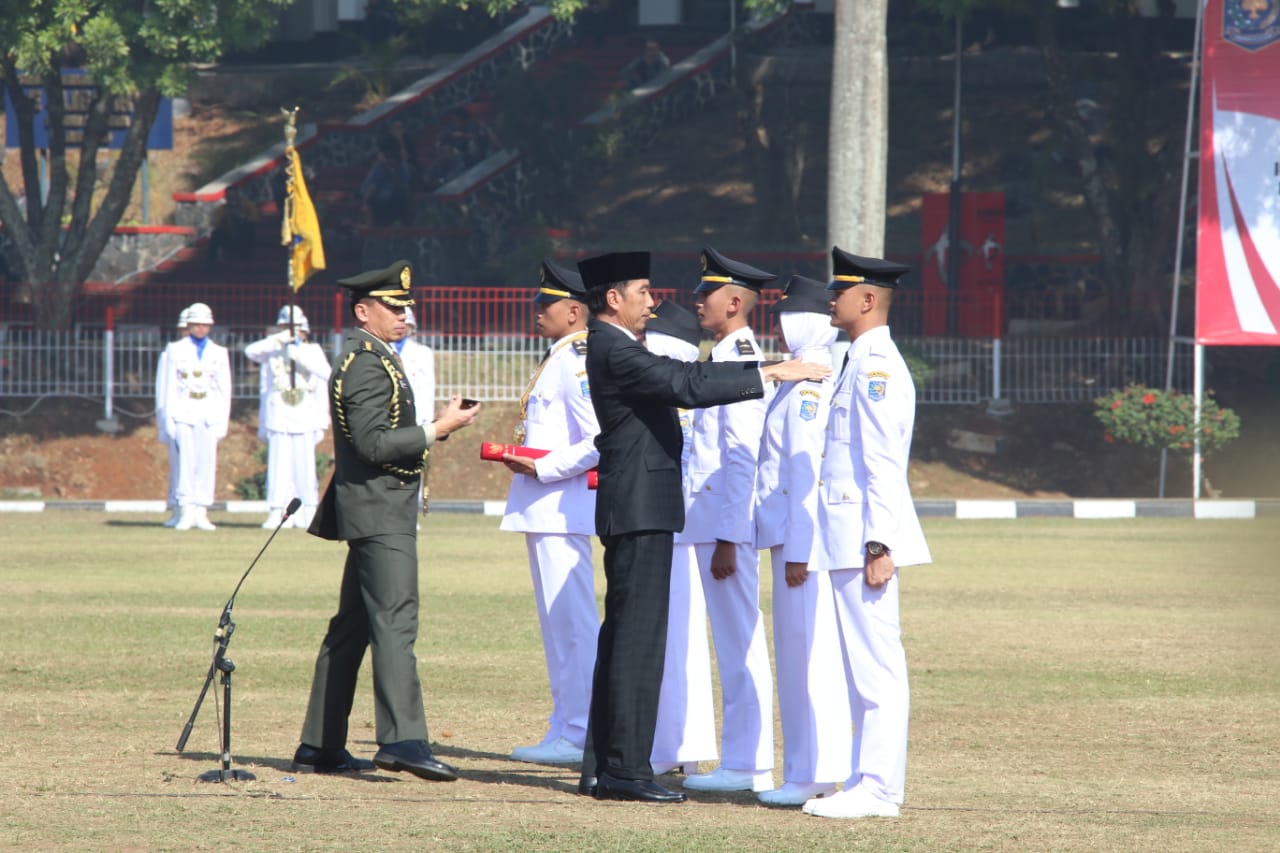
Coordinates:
[372,504]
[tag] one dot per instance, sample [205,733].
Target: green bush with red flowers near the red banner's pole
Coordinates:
[1165,421]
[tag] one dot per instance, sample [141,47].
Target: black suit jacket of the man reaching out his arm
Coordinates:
[636,394]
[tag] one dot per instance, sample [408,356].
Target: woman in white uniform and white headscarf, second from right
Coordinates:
[813,694]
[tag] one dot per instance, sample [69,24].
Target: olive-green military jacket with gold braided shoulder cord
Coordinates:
[378,445]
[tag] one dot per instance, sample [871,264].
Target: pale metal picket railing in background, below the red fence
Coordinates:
[121,364]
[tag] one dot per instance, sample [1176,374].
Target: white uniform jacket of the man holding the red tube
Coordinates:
[560,418]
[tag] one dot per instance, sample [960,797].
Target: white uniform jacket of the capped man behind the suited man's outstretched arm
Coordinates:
[720,485]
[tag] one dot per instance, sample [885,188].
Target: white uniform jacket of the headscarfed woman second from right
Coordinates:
[787,486]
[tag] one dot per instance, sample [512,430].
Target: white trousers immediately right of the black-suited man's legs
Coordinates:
[687,709]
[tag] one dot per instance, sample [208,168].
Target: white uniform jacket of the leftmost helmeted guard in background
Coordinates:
[198,390]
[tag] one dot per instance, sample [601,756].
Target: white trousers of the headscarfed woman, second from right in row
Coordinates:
[813,692]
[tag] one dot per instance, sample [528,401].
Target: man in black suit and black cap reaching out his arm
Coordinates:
[639,508]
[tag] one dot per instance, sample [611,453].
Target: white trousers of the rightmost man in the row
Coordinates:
[879,695]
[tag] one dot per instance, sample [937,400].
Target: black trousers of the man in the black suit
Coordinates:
[630,655]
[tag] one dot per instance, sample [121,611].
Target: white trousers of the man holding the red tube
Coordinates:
[565,594]
